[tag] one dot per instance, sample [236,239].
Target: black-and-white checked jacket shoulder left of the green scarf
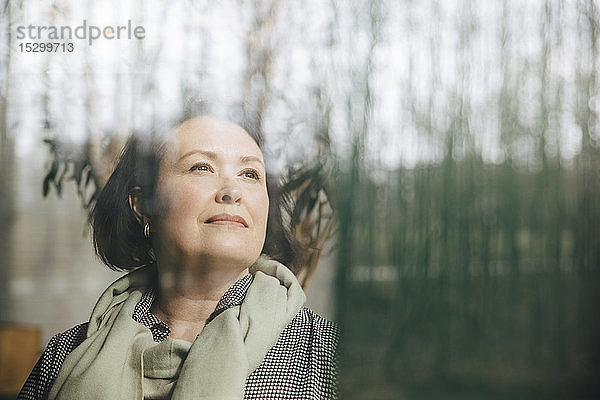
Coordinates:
[45,371]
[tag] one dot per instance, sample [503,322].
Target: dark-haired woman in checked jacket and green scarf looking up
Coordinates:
[208,315]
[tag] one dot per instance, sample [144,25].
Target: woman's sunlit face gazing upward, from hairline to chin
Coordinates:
[212,181]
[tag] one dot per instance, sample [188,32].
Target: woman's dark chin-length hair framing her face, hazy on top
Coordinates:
[117,235]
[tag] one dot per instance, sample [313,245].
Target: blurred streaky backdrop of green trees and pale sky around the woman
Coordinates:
[456,142]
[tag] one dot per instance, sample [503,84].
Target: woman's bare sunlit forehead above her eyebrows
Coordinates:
[208,133]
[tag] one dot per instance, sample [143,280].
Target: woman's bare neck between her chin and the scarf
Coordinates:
[188,294]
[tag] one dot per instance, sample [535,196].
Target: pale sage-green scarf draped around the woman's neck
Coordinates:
[119,359]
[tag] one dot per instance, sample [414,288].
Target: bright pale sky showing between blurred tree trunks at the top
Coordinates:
[403,65]
